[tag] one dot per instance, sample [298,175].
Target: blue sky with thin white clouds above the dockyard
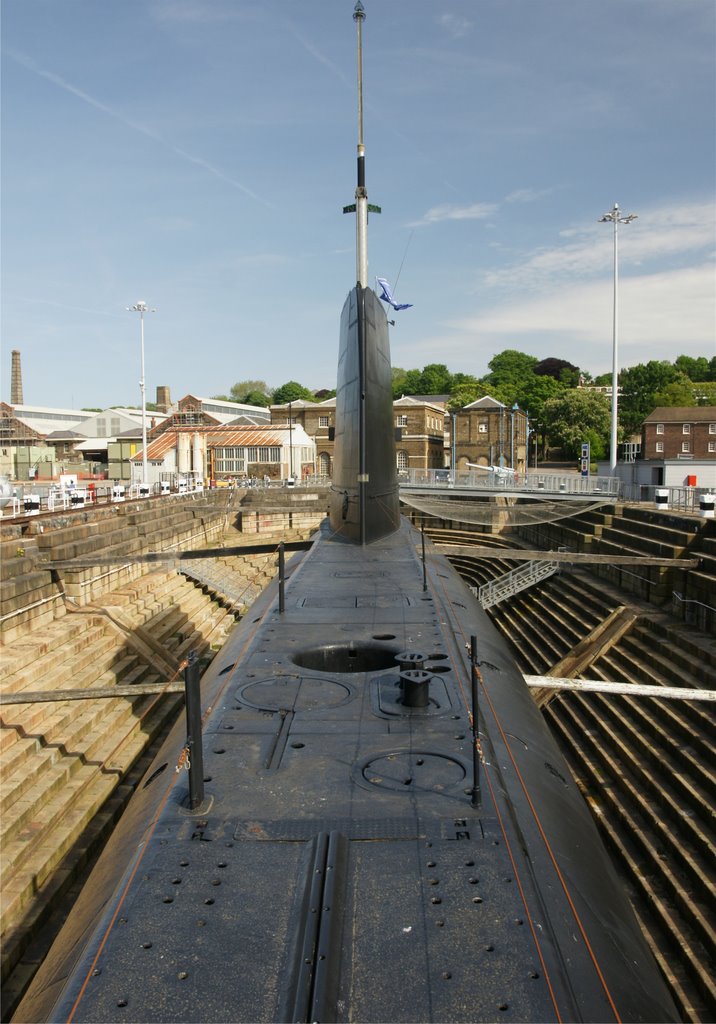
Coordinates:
[197,155]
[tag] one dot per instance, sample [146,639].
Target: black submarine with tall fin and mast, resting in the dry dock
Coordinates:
[365,818]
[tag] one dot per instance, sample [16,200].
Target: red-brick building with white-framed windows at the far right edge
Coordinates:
[680,433]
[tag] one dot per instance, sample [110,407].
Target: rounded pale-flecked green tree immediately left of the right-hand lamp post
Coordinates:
[576,416]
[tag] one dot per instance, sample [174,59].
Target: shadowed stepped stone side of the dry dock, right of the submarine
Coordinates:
[647,766]
